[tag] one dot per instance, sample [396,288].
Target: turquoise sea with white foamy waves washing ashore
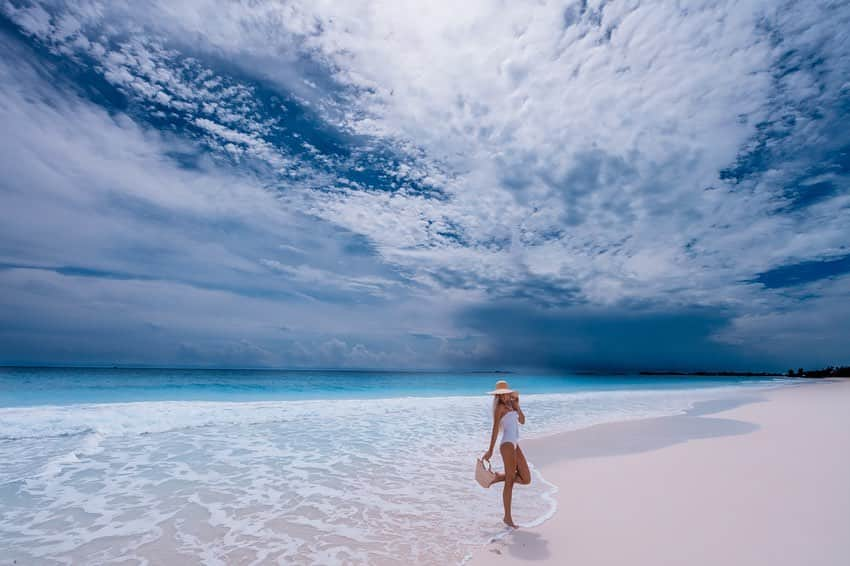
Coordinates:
[158,466]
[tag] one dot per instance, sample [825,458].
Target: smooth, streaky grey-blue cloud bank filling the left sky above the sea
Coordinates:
[111,250]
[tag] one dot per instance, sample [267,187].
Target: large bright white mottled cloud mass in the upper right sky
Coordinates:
[579,138]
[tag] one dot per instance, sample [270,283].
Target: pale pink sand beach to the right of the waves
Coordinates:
[766,482]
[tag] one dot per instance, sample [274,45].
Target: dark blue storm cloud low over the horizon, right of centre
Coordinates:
[600,339]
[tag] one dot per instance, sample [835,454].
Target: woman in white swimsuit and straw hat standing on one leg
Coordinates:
[507,416]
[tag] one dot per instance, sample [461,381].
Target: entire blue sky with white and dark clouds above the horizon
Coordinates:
[550,184]
